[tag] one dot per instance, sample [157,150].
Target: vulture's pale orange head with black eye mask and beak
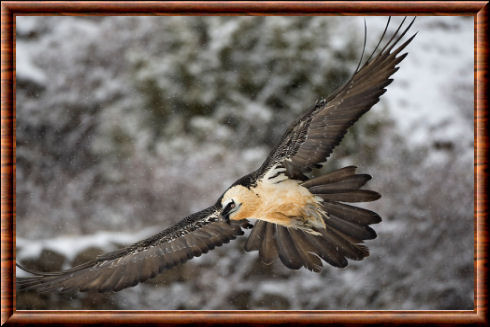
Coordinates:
[238,202]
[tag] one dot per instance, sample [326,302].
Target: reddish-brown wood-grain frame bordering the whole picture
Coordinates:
[9,9]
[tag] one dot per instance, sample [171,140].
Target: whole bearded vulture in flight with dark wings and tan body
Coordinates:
[301,220]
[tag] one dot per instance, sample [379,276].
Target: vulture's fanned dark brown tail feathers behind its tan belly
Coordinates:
[346,226]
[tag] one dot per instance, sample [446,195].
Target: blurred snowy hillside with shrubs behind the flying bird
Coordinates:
[127,124]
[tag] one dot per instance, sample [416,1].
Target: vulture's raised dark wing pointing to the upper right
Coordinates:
[311,138]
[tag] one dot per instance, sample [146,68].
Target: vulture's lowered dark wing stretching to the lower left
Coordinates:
[194,235]
